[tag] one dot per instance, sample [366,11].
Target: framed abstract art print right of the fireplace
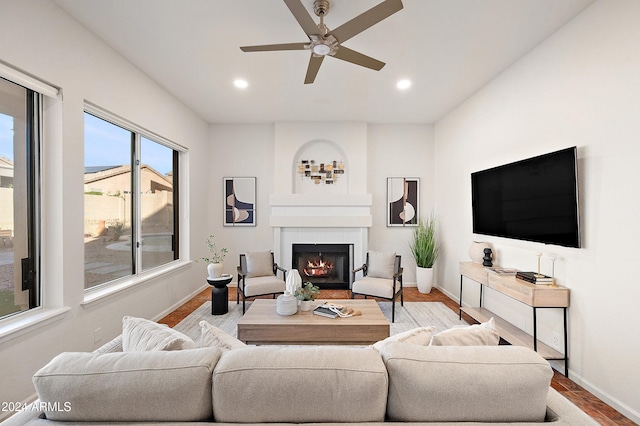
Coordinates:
[403,201]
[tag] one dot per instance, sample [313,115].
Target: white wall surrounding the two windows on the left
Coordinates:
[41,40]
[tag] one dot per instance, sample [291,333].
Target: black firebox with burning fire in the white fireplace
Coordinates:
[325,265]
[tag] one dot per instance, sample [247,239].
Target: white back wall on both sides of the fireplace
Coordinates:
[390,150]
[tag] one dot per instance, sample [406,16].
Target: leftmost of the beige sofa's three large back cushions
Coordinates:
[129,386]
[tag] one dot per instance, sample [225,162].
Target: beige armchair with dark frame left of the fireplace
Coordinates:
[257,276]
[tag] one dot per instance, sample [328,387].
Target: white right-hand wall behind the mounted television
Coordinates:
[578,88]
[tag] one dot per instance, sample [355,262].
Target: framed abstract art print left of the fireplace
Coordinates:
[240,201]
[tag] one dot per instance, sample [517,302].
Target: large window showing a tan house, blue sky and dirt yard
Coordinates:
[130,200]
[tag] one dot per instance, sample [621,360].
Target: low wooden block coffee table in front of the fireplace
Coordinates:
[261,325]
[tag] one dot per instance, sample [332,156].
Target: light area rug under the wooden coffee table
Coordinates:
[411,315]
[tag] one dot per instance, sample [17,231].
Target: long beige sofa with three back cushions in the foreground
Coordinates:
[395,383]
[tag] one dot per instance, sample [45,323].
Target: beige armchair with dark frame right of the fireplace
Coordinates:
[381,278]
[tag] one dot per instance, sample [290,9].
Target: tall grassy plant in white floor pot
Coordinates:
[425,250]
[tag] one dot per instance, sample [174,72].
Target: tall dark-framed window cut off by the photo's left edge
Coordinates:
[19,214]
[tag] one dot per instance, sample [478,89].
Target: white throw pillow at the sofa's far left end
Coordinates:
[139,334]
